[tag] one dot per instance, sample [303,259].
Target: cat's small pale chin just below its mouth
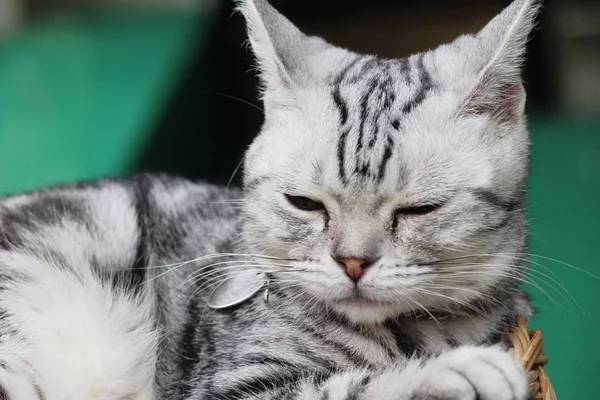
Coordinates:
[365,311]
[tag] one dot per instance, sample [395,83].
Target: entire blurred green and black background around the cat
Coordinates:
[108,88]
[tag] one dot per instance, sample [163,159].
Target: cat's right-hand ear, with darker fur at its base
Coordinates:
[500,46]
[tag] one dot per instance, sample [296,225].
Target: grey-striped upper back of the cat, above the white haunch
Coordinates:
[112,221]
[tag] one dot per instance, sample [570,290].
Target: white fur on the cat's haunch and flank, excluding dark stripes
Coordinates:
[76,337]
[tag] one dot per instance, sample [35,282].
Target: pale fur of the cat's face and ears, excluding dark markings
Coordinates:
[441,152]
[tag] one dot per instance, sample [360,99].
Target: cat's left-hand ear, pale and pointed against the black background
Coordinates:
[280,48]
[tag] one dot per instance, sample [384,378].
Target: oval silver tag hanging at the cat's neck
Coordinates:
[236,290]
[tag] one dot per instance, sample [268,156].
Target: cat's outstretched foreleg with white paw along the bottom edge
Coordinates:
[466,373]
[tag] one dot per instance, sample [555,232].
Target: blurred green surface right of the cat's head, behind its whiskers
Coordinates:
[564,210]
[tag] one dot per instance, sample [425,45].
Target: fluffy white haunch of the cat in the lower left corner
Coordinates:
[68,334]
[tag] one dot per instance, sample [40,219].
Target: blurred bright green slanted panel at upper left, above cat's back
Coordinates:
[80,93]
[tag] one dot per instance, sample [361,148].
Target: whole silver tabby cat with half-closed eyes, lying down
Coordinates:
[383,199]
